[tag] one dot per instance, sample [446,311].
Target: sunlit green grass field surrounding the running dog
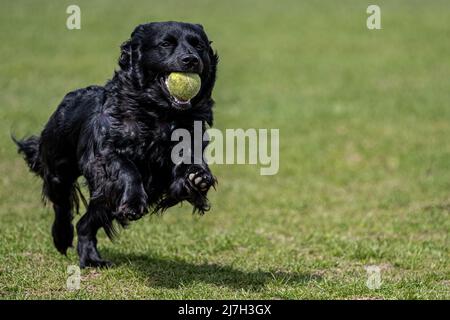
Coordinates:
[364,119]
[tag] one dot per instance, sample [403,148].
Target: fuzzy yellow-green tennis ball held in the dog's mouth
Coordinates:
[183,86]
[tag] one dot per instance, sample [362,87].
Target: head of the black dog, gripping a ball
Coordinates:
[157,49]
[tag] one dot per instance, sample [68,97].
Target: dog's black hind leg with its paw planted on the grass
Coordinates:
[95,218]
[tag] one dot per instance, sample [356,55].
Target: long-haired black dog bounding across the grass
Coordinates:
[119,138]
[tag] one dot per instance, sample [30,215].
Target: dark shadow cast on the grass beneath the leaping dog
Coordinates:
[173,273]
